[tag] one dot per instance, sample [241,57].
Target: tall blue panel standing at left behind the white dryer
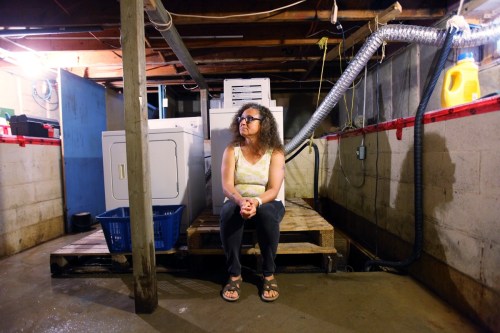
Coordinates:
[83,116]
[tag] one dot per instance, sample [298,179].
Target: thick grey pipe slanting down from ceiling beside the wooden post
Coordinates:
[162,21]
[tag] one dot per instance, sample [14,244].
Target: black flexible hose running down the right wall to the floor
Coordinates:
[418,136]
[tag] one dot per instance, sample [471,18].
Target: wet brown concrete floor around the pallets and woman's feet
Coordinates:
[31,300]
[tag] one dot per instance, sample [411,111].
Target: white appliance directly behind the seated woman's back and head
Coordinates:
[220,136]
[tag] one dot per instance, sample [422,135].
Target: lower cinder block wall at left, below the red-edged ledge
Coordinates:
[31,210]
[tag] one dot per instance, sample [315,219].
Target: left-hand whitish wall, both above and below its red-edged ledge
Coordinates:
[31,195]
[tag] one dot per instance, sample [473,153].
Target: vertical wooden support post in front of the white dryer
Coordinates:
[136,134]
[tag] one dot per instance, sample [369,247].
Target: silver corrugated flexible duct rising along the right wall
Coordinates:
[389,33]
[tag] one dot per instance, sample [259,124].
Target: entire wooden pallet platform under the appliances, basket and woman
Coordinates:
[303,231]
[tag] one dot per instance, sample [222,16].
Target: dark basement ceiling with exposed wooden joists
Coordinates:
[226,38]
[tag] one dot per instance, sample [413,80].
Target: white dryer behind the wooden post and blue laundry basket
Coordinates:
[176,167]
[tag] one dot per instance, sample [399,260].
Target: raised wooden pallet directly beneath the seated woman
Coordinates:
[302,231]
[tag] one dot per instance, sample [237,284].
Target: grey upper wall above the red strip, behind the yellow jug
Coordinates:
[400,82]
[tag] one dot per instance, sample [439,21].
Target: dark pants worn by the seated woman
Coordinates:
[267,224]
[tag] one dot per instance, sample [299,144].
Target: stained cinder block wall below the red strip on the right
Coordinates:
[461,199]
